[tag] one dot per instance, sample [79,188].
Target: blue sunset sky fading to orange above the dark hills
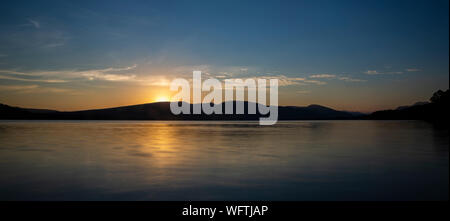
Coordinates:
[348,55]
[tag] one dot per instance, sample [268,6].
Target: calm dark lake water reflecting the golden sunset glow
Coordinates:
[139,160]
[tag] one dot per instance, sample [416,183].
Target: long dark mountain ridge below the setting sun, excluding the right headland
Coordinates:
[161,111]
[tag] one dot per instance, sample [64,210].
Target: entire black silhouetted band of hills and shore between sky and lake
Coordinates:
[436,110]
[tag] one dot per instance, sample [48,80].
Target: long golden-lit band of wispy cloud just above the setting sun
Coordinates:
[159,77]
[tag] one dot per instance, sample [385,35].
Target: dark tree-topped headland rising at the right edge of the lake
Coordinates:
[436,110]
